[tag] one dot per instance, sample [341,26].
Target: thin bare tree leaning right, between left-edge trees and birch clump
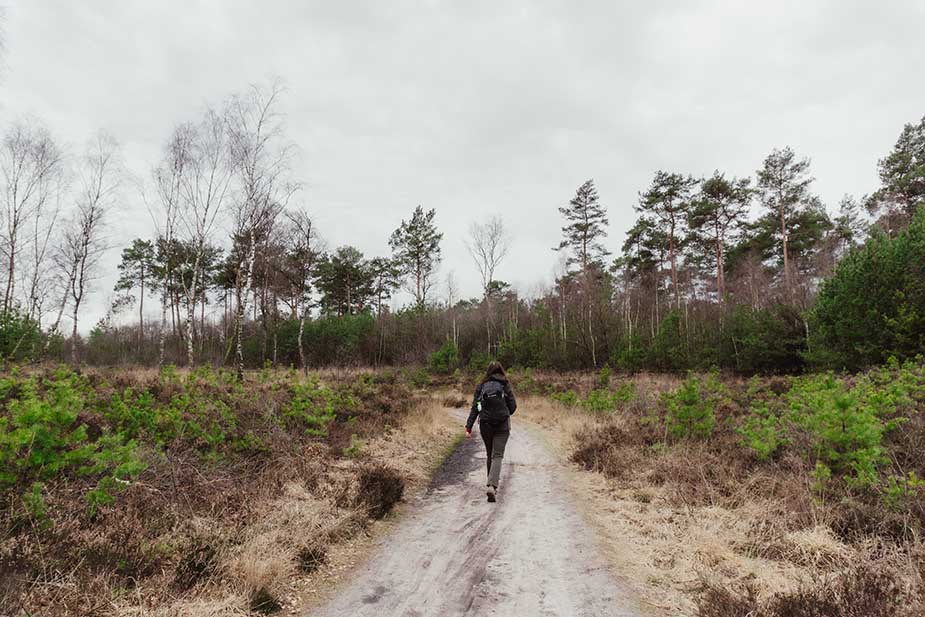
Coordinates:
[84,243]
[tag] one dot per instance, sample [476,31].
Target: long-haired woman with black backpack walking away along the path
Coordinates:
[493,405]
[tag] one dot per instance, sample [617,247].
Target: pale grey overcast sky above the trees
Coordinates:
[479,108]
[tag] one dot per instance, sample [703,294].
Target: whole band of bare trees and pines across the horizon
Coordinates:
[740,273]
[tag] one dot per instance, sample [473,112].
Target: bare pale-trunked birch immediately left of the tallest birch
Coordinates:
[204,186]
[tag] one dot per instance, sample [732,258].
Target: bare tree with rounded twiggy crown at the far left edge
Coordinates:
[31,165]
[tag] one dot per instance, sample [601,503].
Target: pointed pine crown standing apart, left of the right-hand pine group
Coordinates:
[587,226]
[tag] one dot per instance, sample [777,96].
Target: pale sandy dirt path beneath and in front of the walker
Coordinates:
[456,554]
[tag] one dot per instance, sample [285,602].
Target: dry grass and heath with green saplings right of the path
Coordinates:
[768,496]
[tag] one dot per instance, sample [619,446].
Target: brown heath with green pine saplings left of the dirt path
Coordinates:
[133,491]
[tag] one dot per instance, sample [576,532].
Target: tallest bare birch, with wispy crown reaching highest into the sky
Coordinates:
[260,158]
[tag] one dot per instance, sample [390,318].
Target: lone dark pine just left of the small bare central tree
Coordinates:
[416,250]
